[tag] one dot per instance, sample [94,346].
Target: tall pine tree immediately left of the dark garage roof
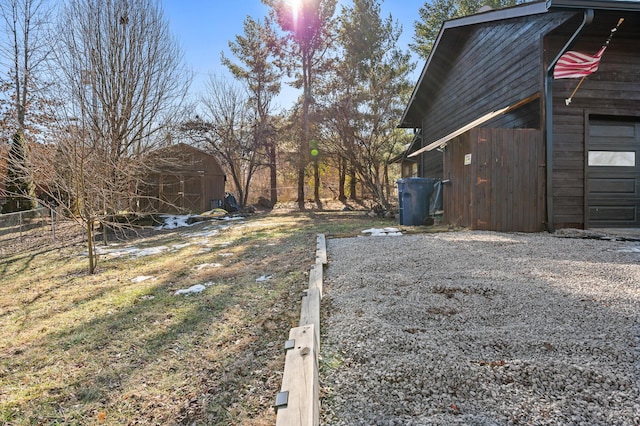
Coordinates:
[367,93]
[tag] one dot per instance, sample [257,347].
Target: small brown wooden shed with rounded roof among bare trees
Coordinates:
[184,179]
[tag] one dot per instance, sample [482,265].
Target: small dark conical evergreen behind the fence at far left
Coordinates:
[20,189]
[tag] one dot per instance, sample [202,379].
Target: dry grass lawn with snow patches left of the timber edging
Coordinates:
[119,347]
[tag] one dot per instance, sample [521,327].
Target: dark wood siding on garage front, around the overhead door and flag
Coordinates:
[613,90]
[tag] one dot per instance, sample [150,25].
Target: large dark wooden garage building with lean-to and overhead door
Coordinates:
[497,128]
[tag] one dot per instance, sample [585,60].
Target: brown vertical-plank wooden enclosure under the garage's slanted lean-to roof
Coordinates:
[503,187]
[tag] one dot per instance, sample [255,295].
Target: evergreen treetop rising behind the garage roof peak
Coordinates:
[435,12]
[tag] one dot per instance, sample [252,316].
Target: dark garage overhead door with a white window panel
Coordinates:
[613,173]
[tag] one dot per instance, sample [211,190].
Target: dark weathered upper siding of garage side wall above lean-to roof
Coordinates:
[499,65]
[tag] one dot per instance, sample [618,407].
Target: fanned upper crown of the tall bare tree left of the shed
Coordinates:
[124,70]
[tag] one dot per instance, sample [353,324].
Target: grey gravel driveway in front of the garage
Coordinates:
[481,328]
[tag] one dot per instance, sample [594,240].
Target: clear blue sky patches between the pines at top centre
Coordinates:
[204,28]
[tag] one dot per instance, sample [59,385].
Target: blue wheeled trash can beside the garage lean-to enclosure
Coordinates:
[414,195]
